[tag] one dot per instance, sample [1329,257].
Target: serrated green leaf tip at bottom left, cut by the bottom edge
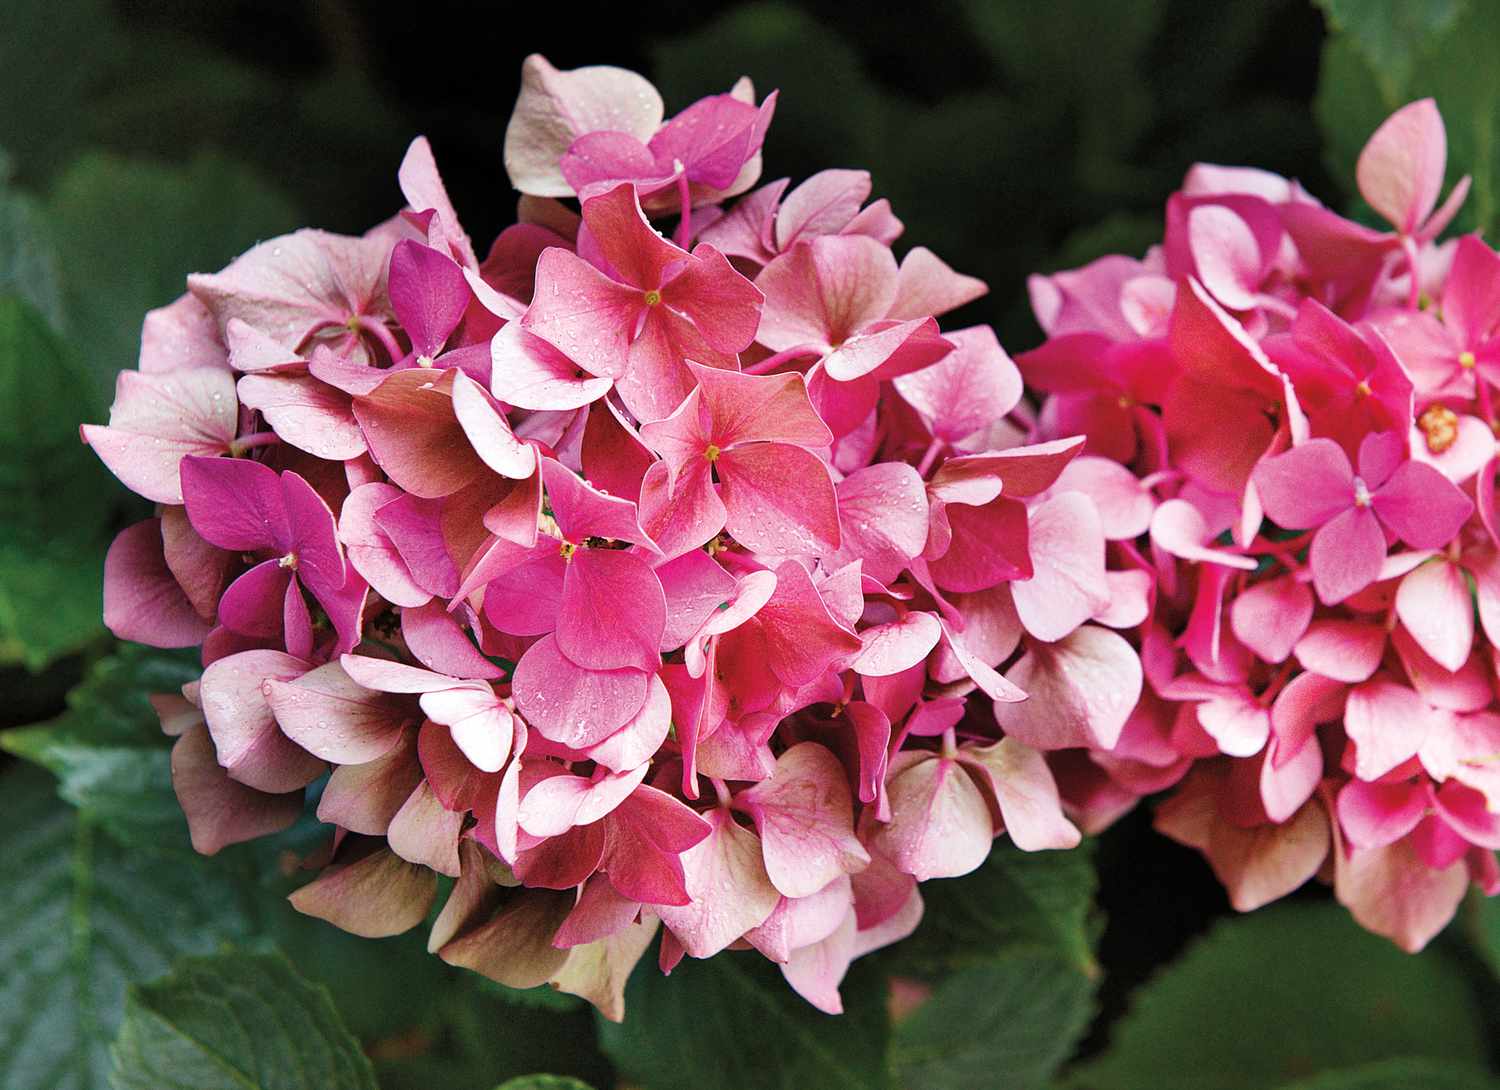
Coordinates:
[236,1022]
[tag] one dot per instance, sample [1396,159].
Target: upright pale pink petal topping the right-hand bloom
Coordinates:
[1400,170]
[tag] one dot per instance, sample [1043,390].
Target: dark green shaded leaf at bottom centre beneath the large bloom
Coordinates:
[734,1020]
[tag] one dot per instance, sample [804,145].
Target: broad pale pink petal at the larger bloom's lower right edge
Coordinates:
[1081,692]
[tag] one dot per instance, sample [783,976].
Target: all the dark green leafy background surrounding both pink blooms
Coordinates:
[140,142]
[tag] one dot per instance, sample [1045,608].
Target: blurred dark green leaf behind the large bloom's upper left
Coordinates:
[170,221]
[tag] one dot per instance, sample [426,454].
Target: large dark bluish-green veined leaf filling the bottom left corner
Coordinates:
[82,920]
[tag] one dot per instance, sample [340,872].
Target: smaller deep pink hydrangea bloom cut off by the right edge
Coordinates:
[1291,428]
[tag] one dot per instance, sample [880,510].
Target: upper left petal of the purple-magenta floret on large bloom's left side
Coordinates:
[236,505]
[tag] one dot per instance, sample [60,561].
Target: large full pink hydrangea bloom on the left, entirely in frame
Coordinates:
[632,581]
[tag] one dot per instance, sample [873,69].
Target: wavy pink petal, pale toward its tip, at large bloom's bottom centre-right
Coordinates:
[805,816]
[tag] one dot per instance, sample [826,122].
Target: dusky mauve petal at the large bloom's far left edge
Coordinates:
[142,599]
